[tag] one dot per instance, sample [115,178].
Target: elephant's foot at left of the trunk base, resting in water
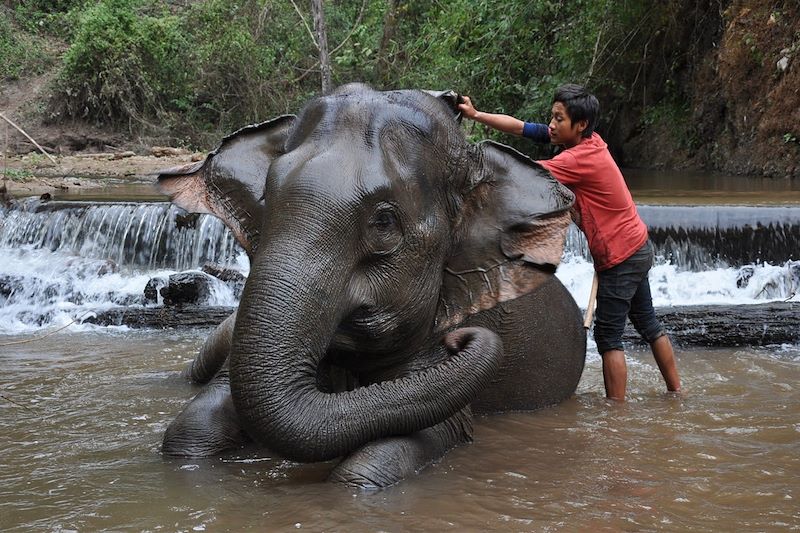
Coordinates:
[207,426]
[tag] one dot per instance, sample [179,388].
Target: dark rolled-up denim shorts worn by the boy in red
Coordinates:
[624,291]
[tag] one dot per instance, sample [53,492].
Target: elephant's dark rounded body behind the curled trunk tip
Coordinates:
[545,349]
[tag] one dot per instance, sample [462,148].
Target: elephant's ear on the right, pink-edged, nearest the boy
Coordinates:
[510,236]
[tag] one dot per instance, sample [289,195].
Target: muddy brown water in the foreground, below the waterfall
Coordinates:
[82,415]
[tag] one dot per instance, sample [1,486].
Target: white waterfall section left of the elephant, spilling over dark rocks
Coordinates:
[62,260]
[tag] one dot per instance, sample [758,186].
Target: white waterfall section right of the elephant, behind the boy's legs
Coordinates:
[715,255]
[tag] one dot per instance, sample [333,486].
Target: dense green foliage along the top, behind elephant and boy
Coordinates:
[209,66]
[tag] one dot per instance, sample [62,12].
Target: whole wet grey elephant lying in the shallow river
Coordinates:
[402,281]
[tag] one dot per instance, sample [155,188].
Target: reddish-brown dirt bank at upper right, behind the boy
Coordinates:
[743,83]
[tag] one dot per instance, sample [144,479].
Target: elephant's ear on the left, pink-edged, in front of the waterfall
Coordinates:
[229,183]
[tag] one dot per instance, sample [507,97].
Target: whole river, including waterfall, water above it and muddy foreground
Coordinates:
[83,410]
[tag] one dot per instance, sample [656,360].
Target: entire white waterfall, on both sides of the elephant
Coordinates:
[59,260]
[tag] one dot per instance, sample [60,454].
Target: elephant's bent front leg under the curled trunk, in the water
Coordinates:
[384,462]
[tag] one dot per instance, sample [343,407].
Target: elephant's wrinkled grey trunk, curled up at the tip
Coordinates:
[288,315]
